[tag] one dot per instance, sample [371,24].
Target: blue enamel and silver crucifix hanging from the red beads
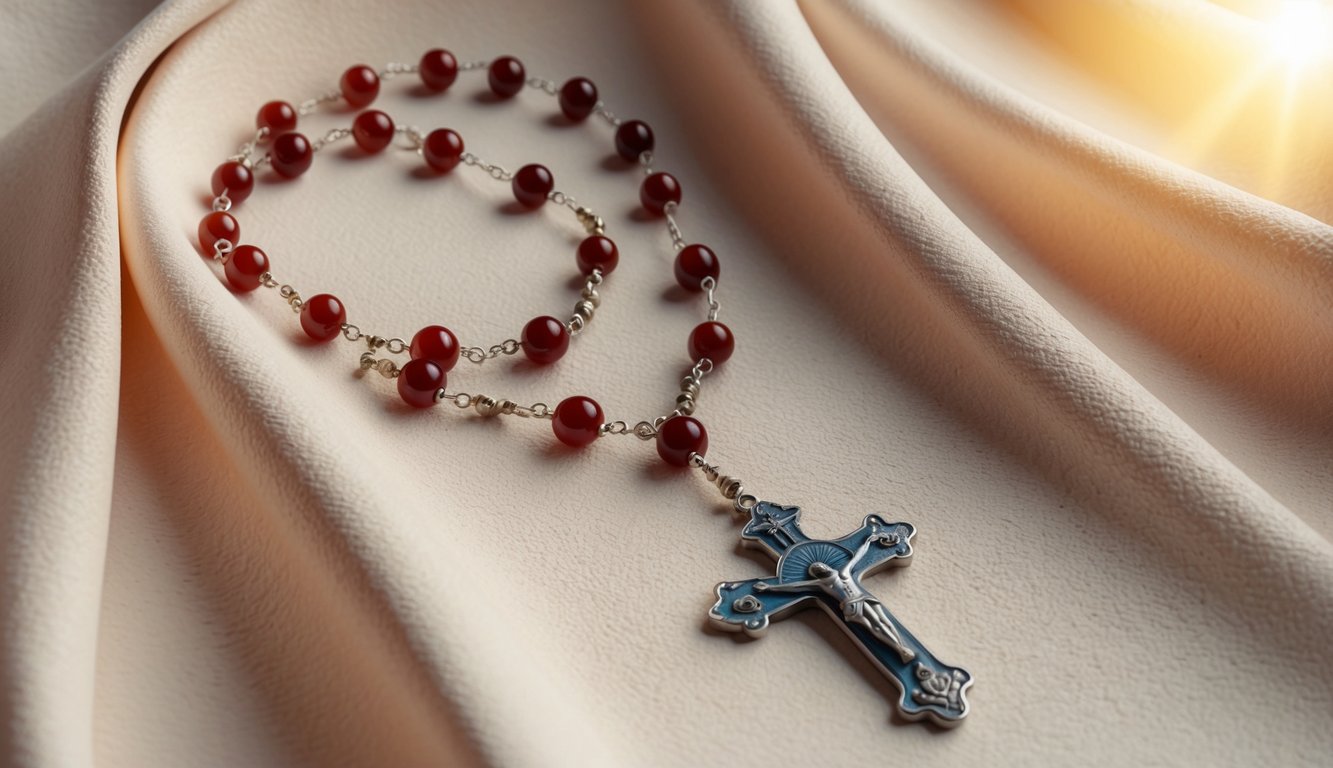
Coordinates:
[828,574]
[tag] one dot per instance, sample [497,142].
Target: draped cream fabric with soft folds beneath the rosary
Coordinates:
[1052,282]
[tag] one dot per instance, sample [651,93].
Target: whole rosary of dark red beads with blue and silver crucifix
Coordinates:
[810,571]
